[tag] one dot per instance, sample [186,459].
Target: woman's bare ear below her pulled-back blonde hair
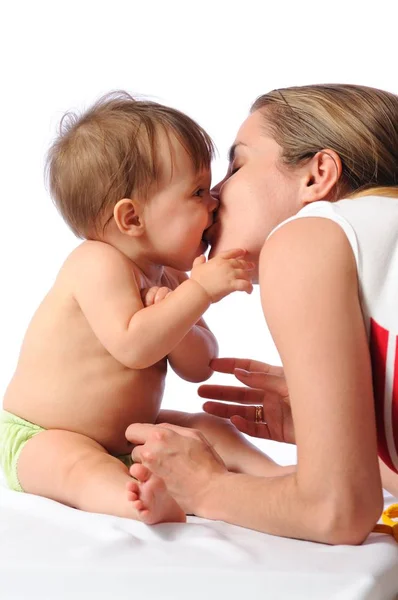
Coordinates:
[322,174]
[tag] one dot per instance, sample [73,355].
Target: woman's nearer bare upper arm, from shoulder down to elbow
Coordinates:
[309,292]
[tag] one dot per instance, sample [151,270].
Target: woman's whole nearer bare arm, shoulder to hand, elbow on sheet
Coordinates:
[310,299]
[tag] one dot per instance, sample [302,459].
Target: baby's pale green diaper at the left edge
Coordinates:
[14,433]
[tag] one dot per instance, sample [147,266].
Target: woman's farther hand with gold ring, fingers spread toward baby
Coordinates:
[266,386]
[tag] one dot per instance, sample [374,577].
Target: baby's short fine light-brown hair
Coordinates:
[112,152]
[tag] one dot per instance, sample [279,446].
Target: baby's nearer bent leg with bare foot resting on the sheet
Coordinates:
[77,471]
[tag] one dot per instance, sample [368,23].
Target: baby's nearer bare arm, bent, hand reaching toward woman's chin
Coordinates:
[107,292]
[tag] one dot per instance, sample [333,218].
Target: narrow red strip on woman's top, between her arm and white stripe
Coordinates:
[378,352]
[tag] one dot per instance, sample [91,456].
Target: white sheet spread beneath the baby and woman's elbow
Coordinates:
[50,551]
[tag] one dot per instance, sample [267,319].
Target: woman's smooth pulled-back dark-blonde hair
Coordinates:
[359,123]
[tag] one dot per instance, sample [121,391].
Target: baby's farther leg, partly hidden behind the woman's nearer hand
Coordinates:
[238,454]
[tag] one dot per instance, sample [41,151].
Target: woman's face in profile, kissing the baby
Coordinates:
[257,194]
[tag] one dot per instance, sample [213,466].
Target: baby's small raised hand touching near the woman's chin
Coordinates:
[226,273]
